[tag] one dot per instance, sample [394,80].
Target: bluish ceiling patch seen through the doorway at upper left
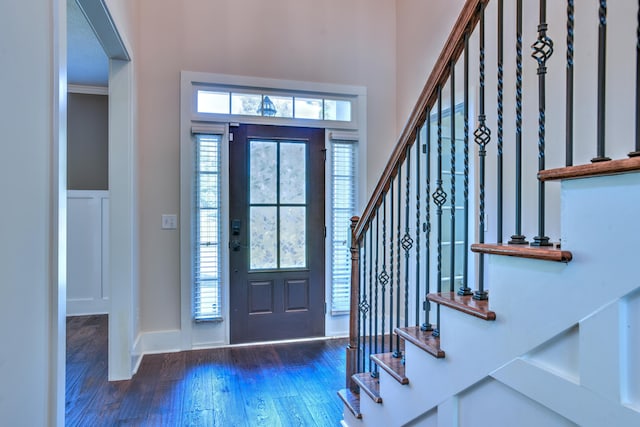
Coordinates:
[87,64]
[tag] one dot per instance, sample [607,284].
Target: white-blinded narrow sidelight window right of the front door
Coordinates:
[343,205]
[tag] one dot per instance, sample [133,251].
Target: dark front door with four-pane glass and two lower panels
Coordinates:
[277,233]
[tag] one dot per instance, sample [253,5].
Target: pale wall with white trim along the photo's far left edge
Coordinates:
[33,218]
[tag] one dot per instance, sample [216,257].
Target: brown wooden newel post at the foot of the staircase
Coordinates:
[352,347]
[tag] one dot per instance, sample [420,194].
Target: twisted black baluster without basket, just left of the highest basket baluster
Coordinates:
[518,238]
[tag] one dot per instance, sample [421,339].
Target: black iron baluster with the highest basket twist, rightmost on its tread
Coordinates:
[542,51]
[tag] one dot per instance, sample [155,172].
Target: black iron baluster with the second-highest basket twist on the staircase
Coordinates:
[482,137]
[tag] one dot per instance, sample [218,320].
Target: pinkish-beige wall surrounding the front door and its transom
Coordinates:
[344,42]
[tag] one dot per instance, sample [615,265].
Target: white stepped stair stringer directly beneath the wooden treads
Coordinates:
[534,300]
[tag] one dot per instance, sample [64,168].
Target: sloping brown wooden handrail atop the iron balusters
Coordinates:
[452,50]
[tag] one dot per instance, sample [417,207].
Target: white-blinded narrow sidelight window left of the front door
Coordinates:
[206,220]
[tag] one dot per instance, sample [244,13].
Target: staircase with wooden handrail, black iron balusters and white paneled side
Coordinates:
[550,334]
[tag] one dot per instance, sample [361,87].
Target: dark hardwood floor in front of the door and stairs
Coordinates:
[290,384]
